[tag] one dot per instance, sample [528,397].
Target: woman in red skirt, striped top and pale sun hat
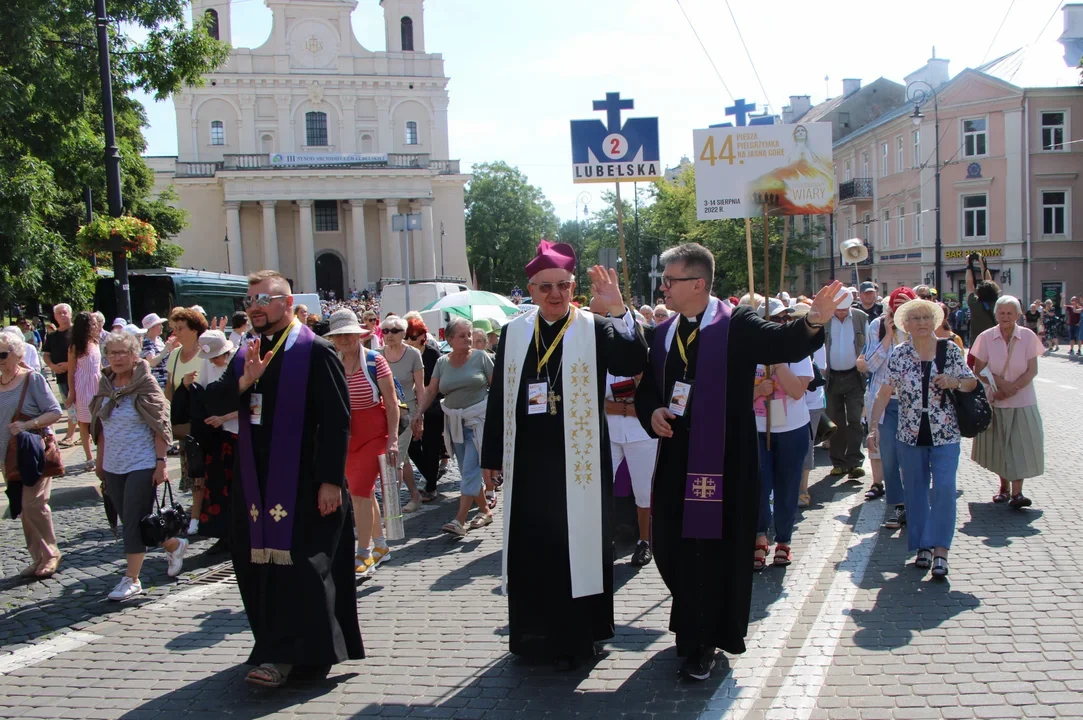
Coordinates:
[374,422]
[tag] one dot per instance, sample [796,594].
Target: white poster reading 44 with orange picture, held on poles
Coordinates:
[784,168]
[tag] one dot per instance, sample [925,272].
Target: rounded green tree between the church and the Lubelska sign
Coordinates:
[506,217]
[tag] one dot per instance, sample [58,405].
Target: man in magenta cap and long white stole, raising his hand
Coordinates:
[545,428]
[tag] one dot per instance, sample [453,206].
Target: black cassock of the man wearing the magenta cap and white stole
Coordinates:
[544,619]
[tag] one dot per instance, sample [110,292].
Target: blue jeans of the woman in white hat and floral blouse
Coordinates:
[931,513]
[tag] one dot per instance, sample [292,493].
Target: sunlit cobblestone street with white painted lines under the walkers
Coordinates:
[846,632]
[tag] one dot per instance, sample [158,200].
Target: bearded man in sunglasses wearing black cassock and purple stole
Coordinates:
[292,531]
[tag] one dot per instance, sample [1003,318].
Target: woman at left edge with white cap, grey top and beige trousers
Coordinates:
[29,405]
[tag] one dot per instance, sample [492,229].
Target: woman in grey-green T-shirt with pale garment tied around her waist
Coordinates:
[464,378]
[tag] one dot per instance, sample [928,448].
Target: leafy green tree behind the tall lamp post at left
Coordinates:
[53,145]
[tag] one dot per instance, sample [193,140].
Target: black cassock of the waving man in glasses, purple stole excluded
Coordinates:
[711,581]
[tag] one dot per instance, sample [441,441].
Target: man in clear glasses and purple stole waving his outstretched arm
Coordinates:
[697,398]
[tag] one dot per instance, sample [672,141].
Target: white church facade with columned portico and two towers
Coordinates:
[296,155]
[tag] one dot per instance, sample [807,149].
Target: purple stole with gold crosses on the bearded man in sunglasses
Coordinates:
[271,530]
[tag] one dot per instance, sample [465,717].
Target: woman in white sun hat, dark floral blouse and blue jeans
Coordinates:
[929,429]
